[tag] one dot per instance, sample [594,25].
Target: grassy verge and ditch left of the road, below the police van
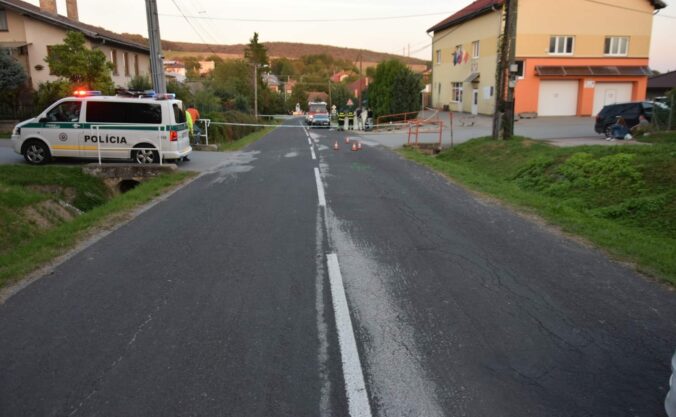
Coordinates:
[27,244]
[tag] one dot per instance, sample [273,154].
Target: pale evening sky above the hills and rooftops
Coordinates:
[393,26]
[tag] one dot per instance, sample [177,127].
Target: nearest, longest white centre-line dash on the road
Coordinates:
[355,388]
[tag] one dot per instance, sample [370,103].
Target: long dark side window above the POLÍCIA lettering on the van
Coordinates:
[130,113]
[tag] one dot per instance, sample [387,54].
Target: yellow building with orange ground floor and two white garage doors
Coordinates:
[571,60]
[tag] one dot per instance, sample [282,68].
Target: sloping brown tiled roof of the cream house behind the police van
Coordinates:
[92,32]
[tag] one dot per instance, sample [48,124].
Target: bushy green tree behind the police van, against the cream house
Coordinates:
[79,65]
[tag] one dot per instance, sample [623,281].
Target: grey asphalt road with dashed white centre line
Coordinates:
[259,291]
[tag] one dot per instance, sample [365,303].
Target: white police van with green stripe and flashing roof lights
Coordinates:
[89,125]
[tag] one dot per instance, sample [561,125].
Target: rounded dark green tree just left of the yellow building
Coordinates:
[395,89]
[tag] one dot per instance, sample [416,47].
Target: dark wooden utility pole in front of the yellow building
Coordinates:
[503,119]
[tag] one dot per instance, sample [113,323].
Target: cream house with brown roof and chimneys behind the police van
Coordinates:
[28,31]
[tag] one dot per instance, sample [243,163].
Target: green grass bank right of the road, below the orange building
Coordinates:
[622,198]
